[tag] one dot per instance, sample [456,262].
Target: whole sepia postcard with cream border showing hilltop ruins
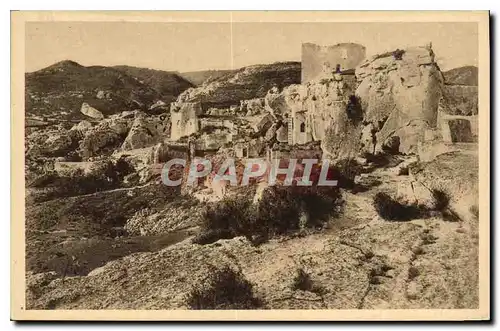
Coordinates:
[250,165]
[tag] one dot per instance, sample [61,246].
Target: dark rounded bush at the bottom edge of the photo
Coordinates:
[223,289]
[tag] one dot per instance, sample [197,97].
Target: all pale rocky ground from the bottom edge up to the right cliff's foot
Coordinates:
[358,261]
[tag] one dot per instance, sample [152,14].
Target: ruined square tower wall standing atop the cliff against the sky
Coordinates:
[318,59]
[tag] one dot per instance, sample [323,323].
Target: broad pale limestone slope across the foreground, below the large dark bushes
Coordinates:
[364,267]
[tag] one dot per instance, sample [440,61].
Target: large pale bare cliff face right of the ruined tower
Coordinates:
[400,93]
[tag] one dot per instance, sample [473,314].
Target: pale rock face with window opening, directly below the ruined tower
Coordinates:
[324,110]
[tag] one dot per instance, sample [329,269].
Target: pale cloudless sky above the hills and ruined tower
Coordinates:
[193,46]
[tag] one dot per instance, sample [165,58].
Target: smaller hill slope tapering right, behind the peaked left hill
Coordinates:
[166,83]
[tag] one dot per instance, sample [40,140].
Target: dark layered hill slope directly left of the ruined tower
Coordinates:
[245,83]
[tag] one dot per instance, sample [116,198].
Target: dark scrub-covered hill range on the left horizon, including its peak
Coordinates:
[59,90]
